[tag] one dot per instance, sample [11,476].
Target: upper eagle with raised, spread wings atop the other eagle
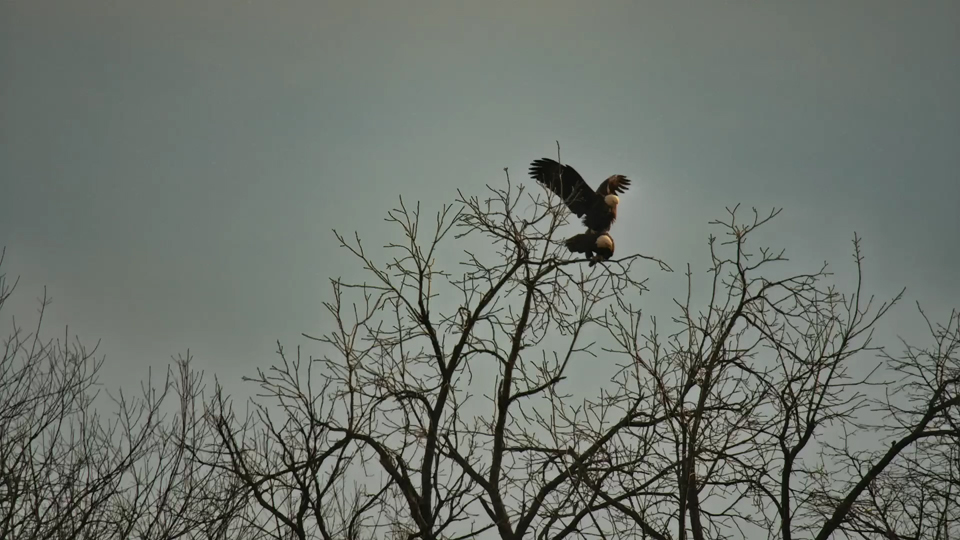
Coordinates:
[598,208]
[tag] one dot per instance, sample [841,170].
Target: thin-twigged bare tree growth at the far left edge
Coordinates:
[68,471]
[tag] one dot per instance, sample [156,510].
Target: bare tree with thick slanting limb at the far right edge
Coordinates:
[911,488]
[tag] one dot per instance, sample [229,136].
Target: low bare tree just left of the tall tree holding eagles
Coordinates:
[289,468]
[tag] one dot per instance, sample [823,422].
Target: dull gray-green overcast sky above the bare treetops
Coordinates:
[171,170]
